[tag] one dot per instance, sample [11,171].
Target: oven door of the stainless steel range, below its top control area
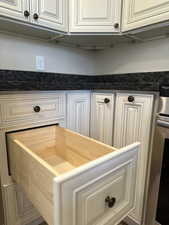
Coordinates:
[156,210]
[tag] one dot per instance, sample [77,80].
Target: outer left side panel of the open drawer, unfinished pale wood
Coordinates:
[34,177]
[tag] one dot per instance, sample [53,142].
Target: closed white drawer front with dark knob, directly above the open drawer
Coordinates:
[33,107]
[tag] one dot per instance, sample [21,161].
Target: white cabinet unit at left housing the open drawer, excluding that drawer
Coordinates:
[17,112]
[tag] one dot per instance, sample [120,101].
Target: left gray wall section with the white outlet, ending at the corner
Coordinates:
[18,53]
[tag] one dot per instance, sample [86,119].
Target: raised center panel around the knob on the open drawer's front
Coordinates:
[100,200]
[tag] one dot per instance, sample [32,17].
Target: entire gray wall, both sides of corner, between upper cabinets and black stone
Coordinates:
[19,54]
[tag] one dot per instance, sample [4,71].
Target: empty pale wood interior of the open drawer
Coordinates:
[62,149]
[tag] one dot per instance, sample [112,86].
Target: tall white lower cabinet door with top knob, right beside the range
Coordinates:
[133,115]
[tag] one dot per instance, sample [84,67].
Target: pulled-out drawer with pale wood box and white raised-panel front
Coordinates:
[72,179]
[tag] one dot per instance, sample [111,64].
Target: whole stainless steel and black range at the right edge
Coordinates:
[157,212]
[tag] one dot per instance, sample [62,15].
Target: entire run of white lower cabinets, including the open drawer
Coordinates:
[64,173]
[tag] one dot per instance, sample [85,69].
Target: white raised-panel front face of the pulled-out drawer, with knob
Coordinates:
[101,195]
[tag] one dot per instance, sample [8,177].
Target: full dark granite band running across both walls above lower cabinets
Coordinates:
[11,80]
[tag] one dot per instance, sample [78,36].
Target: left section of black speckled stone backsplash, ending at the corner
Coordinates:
[24,80]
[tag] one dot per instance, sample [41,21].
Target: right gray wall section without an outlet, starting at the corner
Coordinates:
[131,58]
